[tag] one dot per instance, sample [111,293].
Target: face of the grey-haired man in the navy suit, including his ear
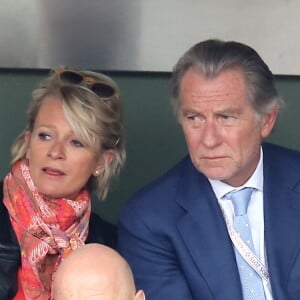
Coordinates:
[222,130]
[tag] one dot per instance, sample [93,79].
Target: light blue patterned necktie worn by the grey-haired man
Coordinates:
[251,282]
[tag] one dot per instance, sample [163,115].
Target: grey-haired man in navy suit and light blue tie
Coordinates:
[178,233]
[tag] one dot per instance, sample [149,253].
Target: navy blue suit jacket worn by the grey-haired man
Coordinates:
[174,236]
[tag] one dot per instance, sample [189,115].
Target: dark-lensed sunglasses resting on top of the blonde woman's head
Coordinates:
[100,88]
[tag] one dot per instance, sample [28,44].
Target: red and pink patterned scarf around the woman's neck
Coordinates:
[46,229]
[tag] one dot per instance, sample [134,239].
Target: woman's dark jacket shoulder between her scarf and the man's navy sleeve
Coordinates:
[102,231]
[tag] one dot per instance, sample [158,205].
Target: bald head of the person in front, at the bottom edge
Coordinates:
[95,271]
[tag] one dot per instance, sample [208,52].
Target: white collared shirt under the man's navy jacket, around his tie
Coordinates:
[255,211]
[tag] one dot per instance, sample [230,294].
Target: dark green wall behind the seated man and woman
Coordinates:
[153,138]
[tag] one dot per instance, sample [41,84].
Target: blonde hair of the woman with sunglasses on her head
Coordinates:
[97,120]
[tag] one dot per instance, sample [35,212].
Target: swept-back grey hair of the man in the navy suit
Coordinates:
[211,57]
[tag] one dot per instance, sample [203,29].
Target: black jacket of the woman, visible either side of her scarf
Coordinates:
[100,231]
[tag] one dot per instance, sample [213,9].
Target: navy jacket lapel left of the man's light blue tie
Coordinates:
[204,233]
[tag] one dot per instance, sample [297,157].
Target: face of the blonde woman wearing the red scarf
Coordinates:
[60,163]
